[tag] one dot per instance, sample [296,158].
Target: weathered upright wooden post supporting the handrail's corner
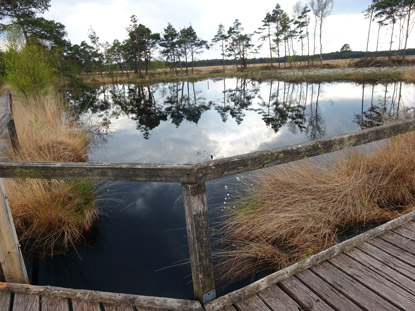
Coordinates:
[198,235]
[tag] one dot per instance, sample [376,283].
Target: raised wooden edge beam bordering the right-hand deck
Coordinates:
[281,275]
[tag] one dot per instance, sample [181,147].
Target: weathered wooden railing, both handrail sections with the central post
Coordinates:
[193,178]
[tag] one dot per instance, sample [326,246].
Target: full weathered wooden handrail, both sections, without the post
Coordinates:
[199,173]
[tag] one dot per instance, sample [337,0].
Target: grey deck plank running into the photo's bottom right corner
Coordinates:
[383,287]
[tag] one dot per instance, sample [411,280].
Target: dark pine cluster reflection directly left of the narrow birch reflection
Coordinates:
[284,106]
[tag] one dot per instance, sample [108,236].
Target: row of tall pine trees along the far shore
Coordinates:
[287,38]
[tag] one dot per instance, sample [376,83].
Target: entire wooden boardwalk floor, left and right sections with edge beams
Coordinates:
[373,271]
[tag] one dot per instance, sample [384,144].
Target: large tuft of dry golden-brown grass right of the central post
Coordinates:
[299,209]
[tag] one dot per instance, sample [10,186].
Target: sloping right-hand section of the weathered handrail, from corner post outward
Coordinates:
[260,159]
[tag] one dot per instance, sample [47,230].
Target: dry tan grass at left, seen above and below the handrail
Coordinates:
[50,215]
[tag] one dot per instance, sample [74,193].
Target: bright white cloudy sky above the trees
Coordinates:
[110,18]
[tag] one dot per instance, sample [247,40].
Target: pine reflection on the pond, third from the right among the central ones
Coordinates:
[237,100]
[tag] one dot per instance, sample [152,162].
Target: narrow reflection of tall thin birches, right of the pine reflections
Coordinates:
[316,127]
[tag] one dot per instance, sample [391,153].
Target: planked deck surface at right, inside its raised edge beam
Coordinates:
[378,274]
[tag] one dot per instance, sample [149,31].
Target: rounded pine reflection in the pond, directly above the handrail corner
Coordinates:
[184,104]
